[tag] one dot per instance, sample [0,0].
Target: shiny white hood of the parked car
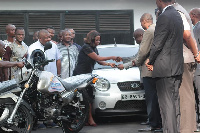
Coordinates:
[115,75]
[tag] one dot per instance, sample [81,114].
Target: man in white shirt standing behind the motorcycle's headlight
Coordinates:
[53,53]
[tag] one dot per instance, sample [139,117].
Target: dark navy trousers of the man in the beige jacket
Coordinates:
[153,110]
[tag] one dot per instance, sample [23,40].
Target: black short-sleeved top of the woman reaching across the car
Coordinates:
[85,63]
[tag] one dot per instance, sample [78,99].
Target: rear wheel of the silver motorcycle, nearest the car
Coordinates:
[77,112]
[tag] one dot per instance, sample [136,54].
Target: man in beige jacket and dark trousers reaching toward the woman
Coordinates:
[153,110]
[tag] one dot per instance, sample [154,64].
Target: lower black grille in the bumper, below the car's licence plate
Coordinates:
[129,105]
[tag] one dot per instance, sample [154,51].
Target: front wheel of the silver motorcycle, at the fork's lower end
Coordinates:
[22,121]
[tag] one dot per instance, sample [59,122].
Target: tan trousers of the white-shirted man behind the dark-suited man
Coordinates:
[187,100]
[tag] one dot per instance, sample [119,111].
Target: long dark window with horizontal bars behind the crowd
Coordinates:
[111,24]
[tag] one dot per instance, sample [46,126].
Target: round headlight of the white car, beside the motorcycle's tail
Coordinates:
[102,84]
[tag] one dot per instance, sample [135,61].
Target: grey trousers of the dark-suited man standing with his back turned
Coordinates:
[169,102]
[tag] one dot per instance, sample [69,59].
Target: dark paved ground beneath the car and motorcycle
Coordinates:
[111,125]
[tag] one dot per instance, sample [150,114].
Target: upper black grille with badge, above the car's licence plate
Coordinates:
[130,86]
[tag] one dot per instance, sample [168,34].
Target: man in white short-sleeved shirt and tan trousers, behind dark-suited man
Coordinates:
[186,90]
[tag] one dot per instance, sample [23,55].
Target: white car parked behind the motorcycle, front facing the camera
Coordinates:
[120,93]
